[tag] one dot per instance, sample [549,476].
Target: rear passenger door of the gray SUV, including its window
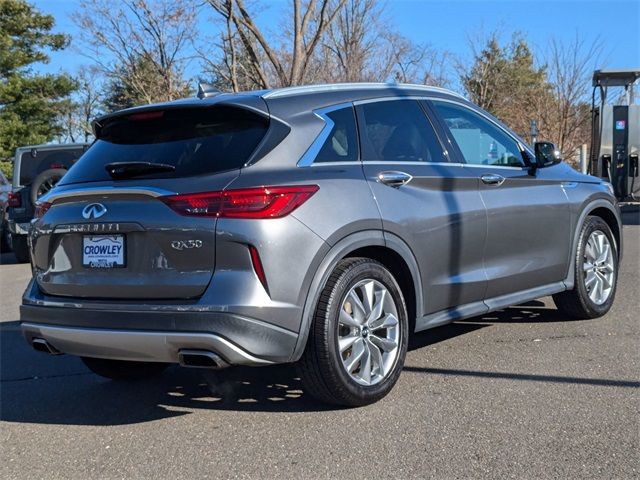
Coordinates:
[429,202]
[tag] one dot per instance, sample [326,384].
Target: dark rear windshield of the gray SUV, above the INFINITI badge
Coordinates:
[195,141]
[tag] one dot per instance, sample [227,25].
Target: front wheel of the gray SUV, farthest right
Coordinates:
[593,269]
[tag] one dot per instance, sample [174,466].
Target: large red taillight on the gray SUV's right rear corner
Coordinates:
[262,202]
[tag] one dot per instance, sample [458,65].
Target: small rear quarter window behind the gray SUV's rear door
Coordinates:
[342,143]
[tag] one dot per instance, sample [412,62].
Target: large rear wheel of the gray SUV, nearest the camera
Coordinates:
[358,339]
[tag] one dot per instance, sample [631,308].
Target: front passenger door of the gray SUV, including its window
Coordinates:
[529,221]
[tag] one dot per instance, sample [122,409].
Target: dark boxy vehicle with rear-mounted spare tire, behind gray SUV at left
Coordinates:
[36,170]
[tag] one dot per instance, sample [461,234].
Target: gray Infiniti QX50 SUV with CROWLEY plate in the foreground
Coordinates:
[321,225]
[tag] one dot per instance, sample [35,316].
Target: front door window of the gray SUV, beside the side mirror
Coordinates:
[480,141]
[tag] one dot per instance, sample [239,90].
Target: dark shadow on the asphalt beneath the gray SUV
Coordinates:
[37,388]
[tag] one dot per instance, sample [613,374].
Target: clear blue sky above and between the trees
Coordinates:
[447,24]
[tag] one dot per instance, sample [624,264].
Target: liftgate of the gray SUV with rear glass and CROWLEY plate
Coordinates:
[113,235]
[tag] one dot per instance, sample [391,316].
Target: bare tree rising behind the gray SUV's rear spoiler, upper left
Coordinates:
[121,36]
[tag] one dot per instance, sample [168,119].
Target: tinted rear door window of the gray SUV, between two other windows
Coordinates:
[398,131]
